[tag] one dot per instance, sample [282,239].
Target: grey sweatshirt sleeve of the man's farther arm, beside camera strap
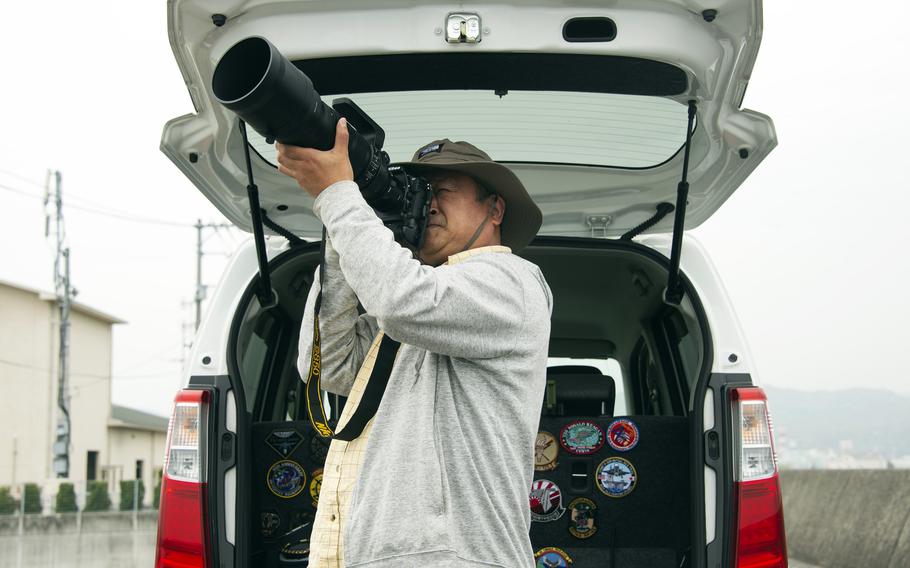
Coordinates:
[346,335]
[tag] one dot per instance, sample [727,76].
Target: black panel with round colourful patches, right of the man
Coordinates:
[624,486]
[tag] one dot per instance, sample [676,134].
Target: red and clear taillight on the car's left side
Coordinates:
[183,525]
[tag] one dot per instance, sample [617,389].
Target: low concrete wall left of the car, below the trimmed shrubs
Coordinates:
[91,540]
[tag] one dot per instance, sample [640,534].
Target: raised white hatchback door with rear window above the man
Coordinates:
[587,104]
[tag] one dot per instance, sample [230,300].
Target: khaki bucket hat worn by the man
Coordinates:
[522,217]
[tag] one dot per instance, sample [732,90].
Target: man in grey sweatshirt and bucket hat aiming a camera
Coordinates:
[439,477]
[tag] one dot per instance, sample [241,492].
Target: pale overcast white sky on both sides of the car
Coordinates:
[812,247]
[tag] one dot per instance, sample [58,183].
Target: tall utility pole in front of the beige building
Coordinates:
[64,293]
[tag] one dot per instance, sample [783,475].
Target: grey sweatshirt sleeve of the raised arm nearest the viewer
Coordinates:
[470,309]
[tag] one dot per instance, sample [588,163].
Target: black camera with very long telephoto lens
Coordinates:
[278,101]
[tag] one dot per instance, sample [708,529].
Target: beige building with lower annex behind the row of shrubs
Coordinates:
[107,442]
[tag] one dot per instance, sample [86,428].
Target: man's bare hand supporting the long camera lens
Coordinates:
[316,170]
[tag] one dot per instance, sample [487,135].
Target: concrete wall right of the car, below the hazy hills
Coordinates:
[848,518]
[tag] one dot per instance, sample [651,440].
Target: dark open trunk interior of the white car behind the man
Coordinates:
[616,350]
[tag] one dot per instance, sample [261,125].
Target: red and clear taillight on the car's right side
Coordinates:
[759,540]
